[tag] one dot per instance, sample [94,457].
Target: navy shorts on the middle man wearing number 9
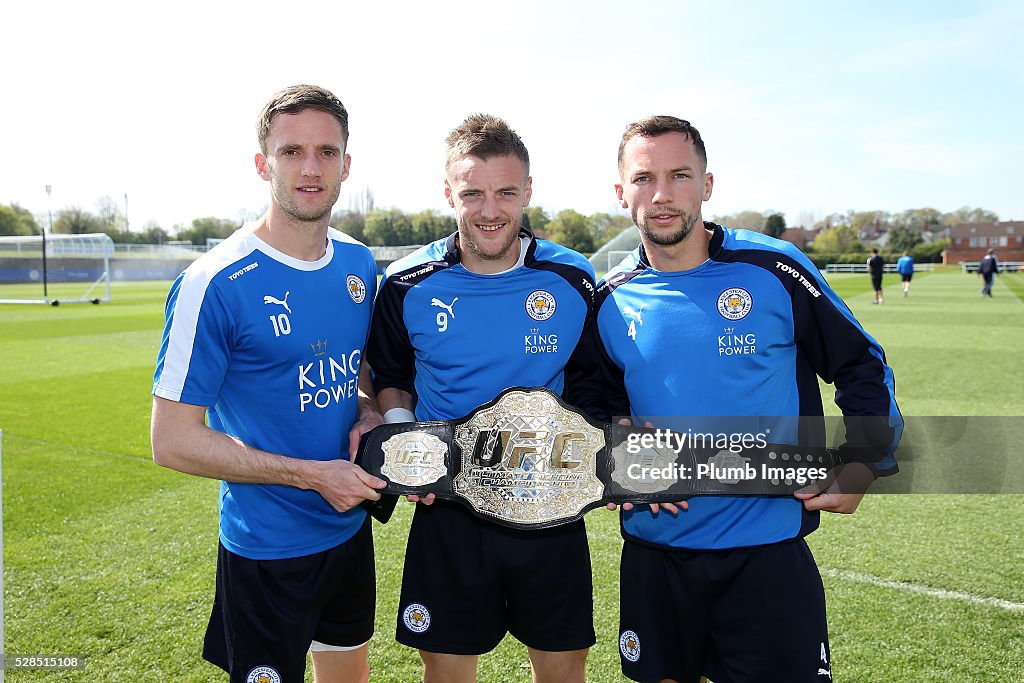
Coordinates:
[468,582]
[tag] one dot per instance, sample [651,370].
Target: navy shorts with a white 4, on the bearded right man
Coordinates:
[747,615]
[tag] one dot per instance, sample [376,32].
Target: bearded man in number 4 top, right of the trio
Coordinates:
[707,321]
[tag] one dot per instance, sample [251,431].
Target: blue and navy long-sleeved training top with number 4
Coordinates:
[748,333]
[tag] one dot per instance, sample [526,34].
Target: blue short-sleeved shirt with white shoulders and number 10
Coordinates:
[272,346]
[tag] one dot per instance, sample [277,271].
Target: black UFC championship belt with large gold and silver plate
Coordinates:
[529,460]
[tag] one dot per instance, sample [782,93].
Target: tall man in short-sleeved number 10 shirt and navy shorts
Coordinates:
[265,337]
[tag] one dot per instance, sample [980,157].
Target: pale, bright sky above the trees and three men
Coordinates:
[806,108]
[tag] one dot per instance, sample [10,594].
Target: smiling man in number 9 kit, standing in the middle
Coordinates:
[455,324]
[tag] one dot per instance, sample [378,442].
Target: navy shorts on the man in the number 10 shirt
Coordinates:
[267,613]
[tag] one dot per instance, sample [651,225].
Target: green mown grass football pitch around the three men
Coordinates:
[110,558]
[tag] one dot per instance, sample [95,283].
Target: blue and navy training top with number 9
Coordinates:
[455,339]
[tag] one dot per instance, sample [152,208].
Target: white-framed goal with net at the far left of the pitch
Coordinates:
[73,269]
